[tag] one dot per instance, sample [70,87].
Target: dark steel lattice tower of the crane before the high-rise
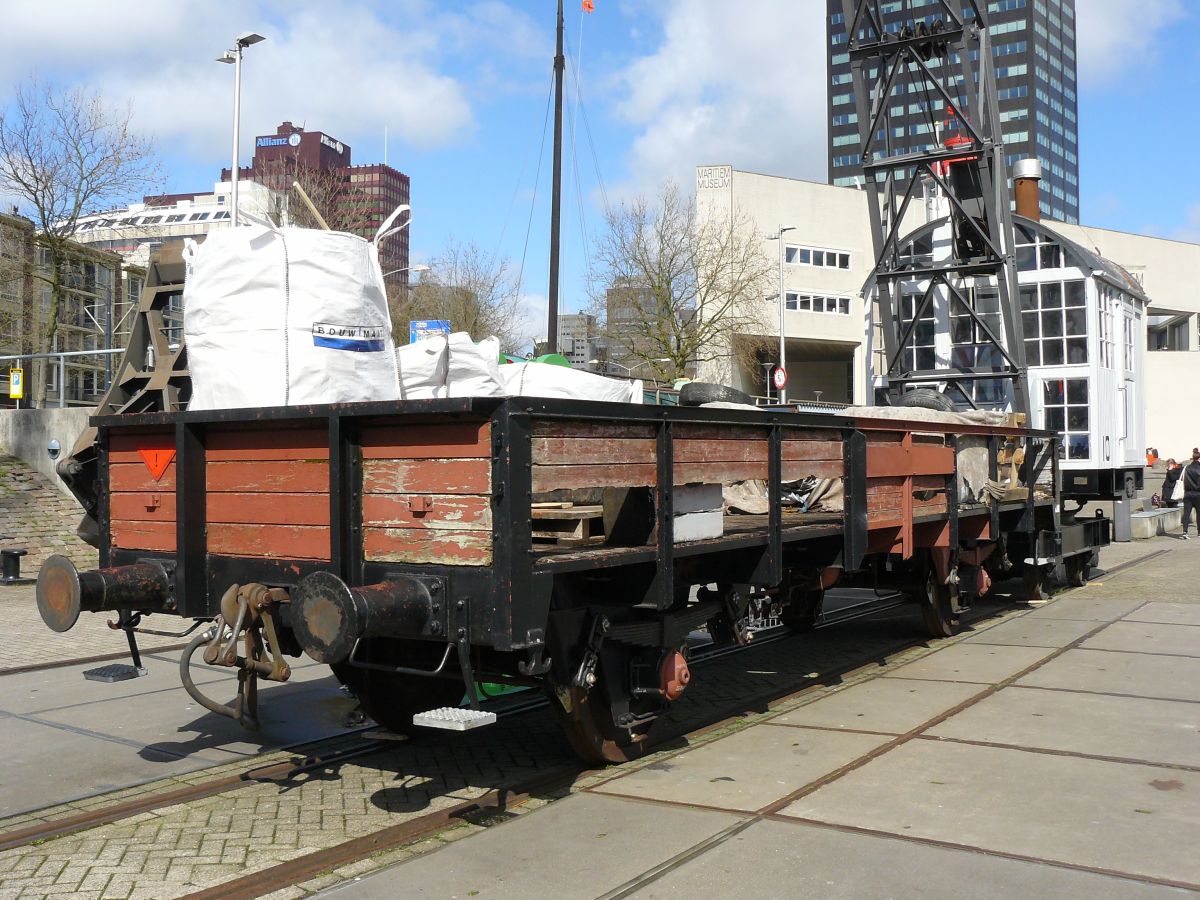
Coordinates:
[932,57]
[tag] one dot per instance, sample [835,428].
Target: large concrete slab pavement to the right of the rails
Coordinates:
[1054,754]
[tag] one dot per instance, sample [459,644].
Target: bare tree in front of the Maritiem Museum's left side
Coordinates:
[677,287]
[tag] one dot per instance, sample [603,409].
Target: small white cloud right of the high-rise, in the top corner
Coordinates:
[1115,37]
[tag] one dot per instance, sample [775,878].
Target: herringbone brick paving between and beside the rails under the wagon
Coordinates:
[181,849]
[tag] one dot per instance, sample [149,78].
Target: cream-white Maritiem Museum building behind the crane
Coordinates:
[829,255]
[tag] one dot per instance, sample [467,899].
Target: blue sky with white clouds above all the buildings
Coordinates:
[461,87]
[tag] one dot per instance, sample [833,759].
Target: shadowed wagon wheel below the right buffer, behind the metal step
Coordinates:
[393,699]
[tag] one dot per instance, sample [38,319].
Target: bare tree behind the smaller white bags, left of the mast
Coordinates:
[473,292]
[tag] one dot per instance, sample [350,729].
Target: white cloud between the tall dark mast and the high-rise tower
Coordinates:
[742,86]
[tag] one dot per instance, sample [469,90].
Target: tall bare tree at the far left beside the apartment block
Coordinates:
[63,154]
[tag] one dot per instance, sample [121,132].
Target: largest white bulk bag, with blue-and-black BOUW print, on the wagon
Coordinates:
[285,317]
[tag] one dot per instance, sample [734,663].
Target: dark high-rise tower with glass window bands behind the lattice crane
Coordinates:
[1034,52]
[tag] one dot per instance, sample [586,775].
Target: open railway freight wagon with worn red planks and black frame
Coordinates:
[395,542]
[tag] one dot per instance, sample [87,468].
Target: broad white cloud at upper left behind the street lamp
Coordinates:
[345,67]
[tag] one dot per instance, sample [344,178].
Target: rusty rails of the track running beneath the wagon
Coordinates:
[361,747]
